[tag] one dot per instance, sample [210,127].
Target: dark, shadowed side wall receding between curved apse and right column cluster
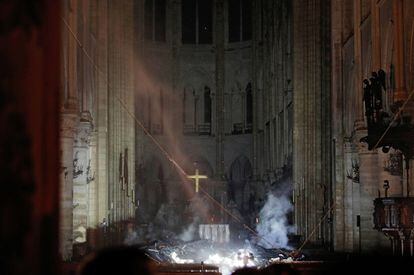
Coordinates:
[272,74]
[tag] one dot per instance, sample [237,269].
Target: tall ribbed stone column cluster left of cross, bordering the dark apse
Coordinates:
[120,105]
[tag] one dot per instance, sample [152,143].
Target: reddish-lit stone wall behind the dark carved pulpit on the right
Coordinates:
[366,36]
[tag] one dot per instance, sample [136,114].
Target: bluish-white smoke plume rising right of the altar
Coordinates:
[273,227]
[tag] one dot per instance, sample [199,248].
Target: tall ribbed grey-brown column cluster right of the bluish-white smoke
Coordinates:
[311,132]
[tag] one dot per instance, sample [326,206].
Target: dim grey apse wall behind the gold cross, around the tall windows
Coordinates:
[182,72]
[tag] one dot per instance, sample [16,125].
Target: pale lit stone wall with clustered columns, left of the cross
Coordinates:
[98,128]
